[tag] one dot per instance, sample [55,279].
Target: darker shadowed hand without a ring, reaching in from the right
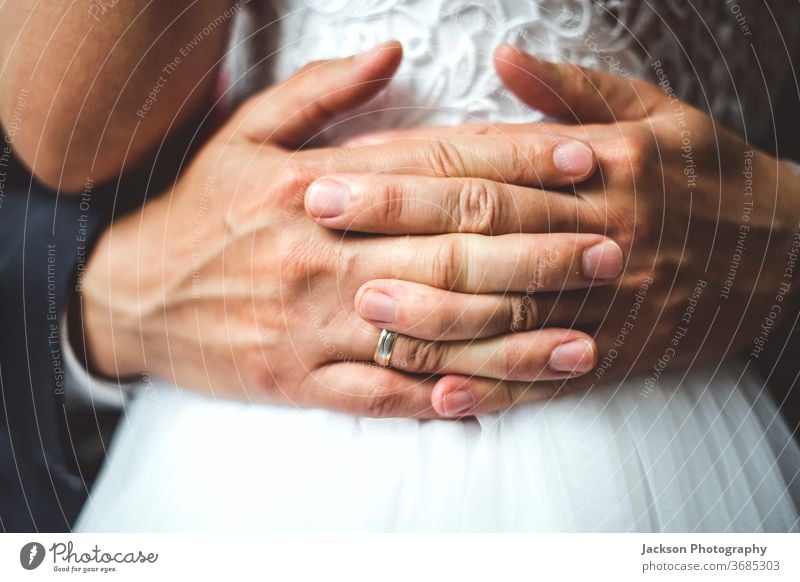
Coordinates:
[708,223]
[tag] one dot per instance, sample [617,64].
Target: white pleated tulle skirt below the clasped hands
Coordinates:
[708,453]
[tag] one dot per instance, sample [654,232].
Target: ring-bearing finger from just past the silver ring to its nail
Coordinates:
[530,356]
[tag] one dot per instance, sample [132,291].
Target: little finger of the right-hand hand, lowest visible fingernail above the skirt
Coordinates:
[457,396]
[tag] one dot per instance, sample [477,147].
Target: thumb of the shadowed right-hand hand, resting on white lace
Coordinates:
[570,91]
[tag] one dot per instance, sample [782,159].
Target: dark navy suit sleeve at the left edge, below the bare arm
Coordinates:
[45,240]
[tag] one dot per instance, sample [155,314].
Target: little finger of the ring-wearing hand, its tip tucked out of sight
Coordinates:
[364,389]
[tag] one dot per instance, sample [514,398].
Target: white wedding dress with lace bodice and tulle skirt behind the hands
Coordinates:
[704,450]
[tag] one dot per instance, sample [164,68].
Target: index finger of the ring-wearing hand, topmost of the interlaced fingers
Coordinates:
[535,159]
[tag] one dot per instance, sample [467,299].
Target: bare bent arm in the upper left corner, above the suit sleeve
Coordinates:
[85,96]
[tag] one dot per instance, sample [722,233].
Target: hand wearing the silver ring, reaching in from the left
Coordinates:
[225,285]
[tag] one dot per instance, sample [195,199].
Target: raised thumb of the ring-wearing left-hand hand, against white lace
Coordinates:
[292,112]
